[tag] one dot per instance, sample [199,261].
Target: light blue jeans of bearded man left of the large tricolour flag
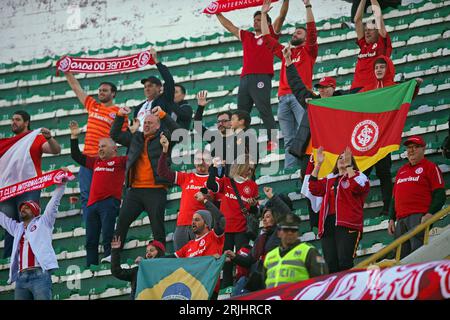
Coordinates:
[290,114]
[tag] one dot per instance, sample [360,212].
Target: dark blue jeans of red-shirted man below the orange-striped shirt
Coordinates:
[100,218]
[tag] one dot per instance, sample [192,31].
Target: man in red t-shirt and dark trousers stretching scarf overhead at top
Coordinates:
[257,70]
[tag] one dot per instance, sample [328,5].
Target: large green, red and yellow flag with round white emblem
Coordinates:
[371,123]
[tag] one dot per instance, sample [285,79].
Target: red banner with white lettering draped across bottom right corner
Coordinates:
[422,281]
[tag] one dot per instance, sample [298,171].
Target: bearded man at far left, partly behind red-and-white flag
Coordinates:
[44,143]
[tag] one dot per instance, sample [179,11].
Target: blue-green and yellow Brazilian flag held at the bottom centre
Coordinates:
[178,279]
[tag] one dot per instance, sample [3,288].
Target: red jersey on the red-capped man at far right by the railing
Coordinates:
[413,187]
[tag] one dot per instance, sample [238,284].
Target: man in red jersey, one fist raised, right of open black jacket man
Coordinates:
[190,183]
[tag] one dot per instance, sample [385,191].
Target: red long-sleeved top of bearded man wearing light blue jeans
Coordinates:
[303,57]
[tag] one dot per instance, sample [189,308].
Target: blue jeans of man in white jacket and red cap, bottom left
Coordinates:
[35,284]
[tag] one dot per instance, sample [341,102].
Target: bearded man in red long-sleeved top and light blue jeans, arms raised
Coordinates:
[304,50]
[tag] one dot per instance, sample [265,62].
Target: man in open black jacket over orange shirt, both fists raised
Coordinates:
[146,190]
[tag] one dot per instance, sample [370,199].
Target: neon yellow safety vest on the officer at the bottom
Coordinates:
[288,269]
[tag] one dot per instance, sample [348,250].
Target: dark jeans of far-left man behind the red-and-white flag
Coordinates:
[10,207]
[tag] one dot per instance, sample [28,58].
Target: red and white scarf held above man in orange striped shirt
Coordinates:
[107,65]
